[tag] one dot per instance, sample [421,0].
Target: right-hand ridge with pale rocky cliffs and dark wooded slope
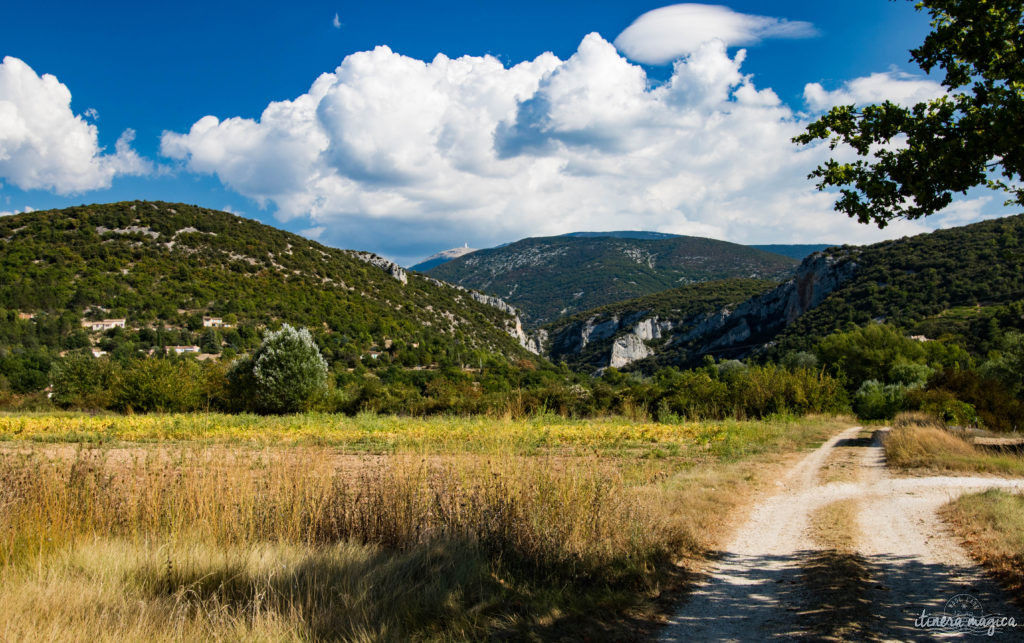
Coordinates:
[953,283]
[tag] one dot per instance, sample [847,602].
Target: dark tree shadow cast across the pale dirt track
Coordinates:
[829,596]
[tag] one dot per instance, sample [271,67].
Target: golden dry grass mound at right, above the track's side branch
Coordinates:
[919,443]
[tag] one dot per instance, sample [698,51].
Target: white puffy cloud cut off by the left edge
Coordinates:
[44,145]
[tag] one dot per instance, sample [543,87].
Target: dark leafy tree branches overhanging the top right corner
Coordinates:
[912,160]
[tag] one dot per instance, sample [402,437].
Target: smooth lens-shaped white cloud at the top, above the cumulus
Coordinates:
[670,33]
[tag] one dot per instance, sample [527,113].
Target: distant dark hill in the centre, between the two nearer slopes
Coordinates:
[553,277]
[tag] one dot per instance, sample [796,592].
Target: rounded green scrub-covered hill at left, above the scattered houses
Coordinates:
[164,267]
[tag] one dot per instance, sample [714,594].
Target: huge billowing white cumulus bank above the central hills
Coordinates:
[466,150]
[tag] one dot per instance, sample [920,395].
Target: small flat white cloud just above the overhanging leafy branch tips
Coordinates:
[895,87]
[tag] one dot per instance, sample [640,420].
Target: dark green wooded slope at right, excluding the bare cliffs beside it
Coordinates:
[962,283]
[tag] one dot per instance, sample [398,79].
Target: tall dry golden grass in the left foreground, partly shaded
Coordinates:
[217,543]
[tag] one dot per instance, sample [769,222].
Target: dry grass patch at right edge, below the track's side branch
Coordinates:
[992,528]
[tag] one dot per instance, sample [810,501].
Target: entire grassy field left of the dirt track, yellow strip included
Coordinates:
[317,528]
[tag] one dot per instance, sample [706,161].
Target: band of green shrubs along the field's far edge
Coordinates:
[183,384]
